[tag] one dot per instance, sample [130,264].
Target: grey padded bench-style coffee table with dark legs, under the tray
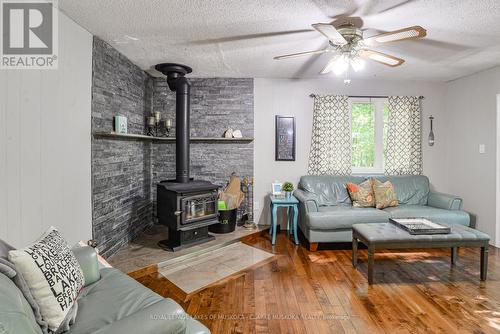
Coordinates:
[388,236]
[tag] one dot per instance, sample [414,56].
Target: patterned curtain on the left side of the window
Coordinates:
[331,148]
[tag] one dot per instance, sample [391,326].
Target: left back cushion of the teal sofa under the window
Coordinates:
[330,190]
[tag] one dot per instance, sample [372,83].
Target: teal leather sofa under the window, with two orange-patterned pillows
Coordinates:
[327,214]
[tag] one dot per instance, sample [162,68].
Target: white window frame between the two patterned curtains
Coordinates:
[378,104]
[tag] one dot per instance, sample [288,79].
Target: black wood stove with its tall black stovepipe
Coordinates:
[186,206]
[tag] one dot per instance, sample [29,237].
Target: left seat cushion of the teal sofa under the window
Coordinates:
[343,217]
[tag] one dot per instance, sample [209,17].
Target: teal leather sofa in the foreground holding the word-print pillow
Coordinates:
[110,303]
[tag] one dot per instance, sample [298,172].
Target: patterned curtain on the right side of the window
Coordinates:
[404,139]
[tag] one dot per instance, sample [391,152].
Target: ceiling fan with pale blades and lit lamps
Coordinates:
[351,48]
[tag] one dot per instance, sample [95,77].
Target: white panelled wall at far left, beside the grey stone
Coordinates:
[45,144]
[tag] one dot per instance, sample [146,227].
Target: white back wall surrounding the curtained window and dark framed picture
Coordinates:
[291,97]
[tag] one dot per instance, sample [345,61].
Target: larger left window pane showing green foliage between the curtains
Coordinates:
[363,135]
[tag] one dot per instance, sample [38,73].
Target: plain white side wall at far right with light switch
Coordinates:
[471,106]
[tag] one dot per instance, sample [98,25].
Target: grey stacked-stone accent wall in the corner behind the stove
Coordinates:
[125,172]
